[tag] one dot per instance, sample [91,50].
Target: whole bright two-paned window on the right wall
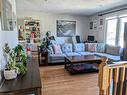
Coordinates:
[115,30]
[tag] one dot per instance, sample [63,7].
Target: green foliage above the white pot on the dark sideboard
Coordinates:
[11,59]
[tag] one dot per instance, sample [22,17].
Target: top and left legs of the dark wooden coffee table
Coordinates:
[73,60]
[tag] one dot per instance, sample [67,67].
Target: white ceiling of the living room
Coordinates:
[80,7]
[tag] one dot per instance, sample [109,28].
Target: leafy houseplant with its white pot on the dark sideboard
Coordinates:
[14,68]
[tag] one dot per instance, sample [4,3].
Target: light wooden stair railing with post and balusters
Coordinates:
[112,78]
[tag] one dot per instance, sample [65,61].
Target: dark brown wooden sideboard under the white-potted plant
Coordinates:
[23,85]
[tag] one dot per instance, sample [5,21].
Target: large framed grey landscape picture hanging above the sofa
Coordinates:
[66,28]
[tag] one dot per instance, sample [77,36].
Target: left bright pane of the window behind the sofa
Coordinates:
[111,31]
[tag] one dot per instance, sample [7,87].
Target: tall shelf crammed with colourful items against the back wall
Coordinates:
[31,32]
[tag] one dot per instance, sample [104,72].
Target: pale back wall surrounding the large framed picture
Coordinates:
[48,23]
